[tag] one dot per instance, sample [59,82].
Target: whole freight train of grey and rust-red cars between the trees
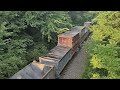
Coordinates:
[51,65]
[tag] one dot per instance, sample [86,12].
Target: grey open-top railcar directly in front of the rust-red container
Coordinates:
[58,57]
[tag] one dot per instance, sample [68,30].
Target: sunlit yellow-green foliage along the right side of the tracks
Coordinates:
[104,46]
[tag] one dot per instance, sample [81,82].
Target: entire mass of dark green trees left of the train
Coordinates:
[26,35]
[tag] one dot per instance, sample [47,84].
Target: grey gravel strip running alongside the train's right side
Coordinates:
[76,66]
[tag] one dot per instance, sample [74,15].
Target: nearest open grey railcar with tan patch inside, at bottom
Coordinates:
[35,70]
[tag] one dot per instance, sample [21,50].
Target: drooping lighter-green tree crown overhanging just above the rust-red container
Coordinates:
[48,22]
